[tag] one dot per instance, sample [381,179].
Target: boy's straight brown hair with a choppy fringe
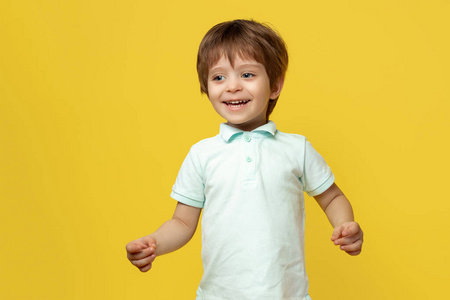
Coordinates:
[246,39]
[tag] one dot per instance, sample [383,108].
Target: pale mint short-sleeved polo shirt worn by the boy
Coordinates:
[250,186]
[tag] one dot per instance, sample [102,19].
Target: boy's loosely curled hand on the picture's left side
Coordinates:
[141,253]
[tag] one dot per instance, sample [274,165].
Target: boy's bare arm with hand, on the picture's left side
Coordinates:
[170,236]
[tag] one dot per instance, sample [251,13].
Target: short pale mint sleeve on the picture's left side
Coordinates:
[189,186]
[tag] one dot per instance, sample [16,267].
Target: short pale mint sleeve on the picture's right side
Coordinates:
[317,176]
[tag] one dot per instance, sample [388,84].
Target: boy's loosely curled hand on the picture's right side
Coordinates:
[349,236]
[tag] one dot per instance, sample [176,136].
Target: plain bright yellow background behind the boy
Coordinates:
[99,104]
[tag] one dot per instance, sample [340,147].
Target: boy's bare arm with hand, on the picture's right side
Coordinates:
[338,209]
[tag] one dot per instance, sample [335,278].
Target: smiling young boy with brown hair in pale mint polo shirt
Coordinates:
[249,179]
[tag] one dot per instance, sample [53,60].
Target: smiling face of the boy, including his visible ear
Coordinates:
[240,94]
